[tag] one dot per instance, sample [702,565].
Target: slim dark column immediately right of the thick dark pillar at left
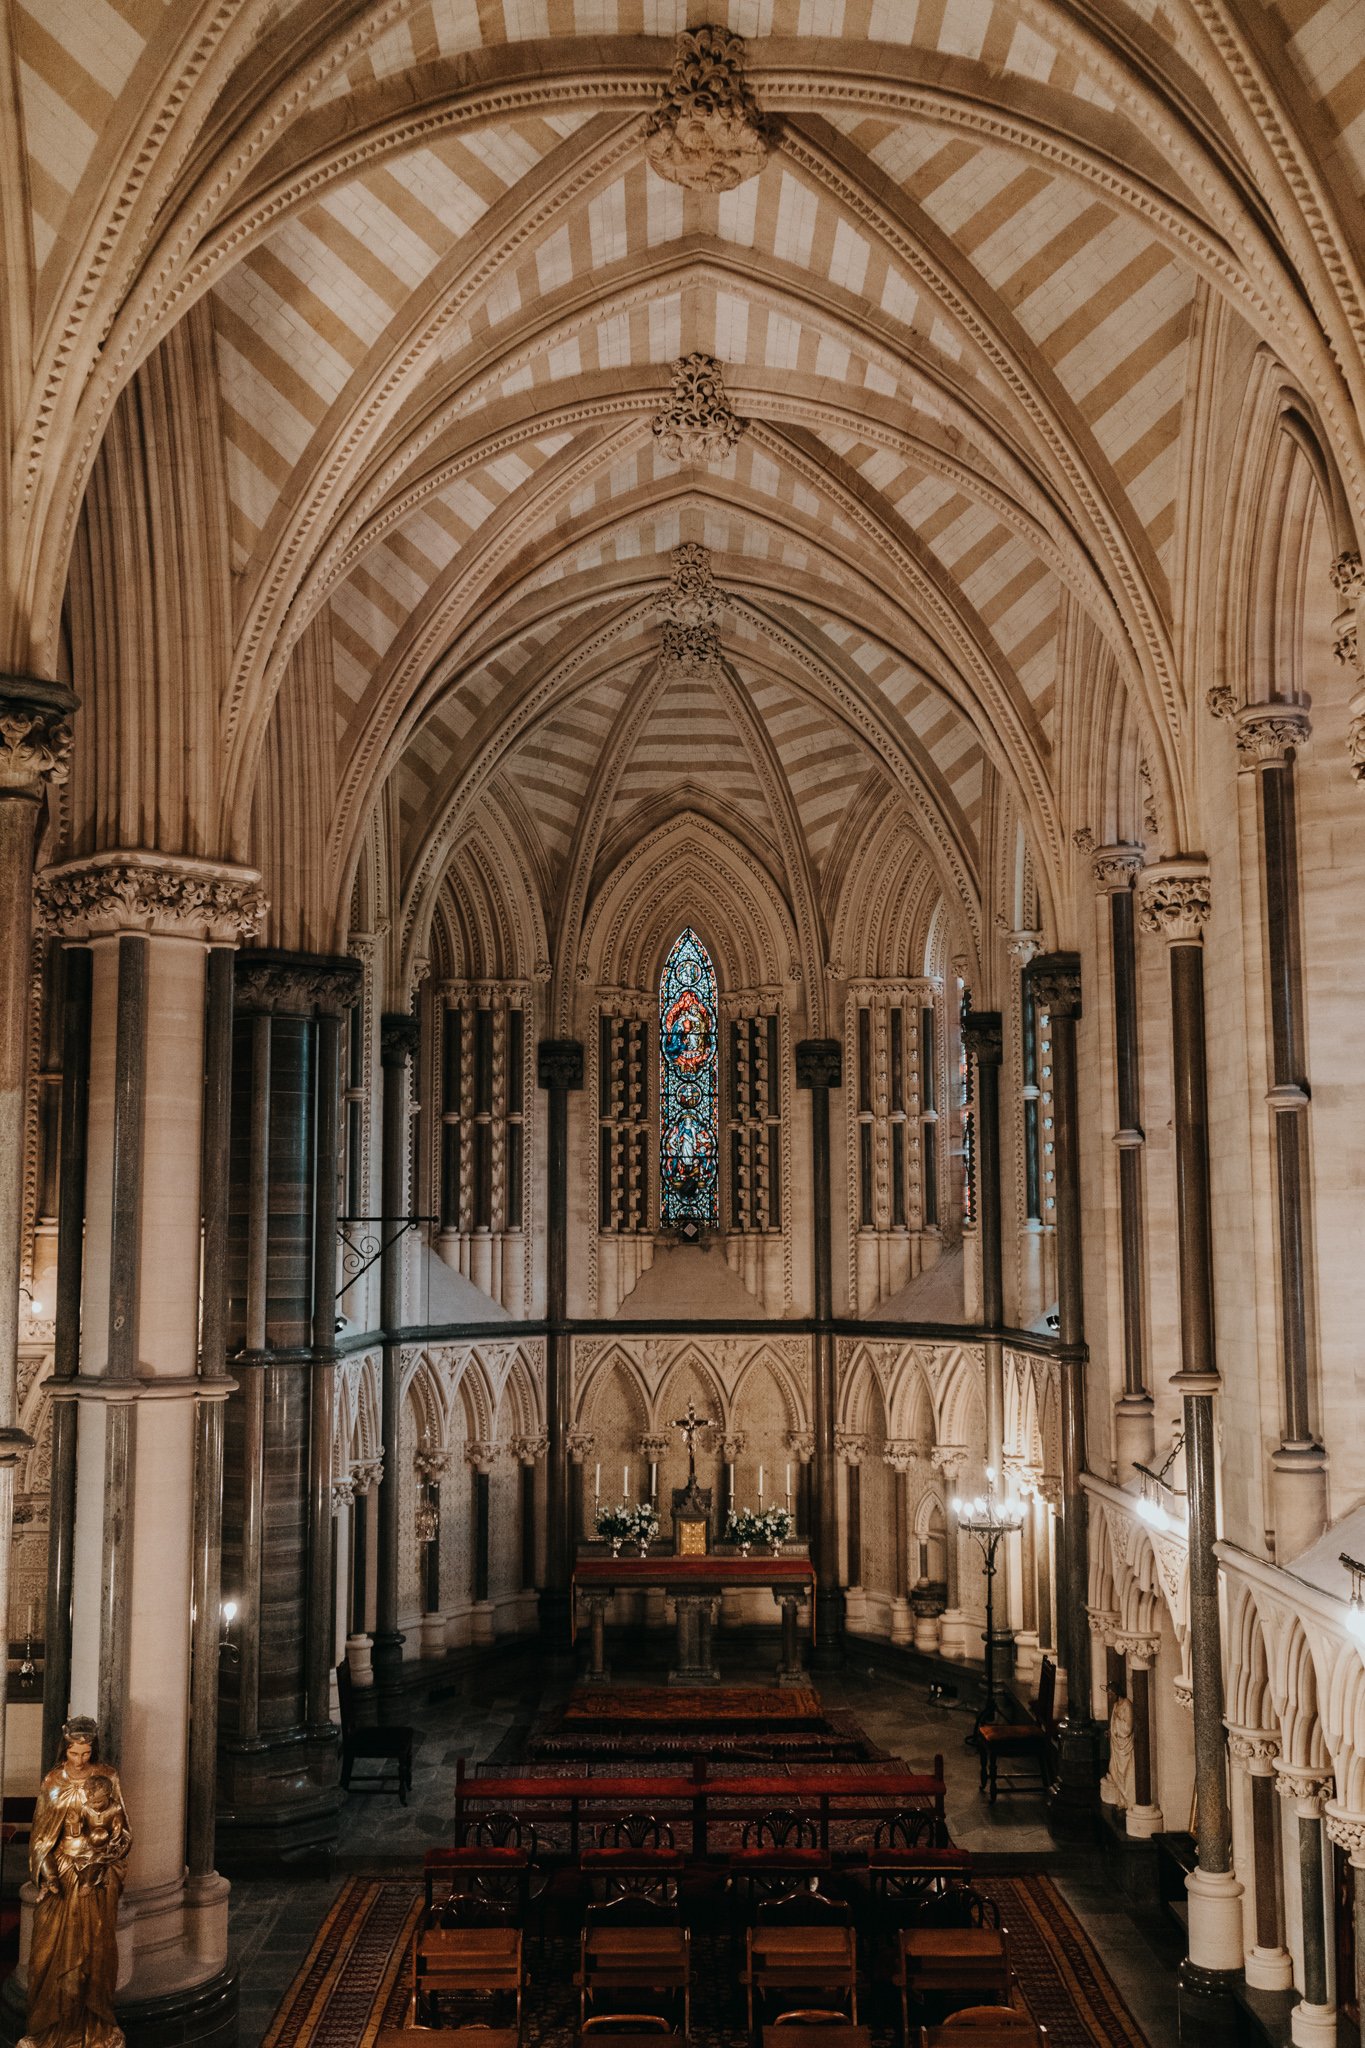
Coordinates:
[400,1037]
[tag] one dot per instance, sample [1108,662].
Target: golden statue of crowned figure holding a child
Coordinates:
[79,1859]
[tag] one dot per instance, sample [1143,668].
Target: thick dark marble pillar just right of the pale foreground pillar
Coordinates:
[279,1791]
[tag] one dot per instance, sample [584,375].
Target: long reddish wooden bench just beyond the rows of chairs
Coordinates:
[830,1795]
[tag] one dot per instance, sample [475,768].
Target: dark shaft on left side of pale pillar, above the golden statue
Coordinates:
[67,1340]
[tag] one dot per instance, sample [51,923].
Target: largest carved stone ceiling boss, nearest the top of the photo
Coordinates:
[707,130]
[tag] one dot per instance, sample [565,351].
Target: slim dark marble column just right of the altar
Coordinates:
[820,1070]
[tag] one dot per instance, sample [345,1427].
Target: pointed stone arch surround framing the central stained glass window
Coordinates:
[689,876]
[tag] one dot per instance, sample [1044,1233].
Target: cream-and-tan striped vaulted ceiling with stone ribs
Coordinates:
[961,306]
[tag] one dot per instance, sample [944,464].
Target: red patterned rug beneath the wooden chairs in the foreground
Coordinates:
[357,1977]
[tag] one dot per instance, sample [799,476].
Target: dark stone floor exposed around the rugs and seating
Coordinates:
[273,1920]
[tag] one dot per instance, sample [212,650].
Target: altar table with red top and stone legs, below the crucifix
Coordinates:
[695,1586]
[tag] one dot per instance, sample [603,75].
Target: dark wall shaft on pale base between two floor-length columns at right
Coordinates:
[1116,867]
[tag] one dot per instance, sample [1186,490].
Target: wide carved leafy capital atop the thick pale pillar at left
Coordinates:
[163,894]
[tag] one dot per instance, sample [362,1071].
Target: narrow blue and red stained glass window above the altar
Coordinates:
[689,1095]
